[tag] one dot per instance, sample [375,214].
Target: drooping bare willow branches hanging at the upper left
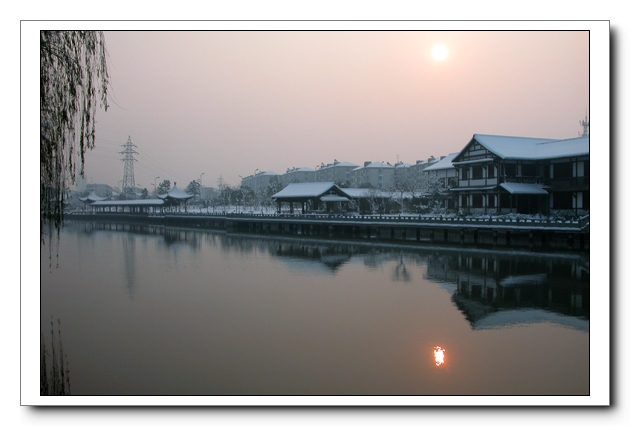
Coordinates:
[73,81]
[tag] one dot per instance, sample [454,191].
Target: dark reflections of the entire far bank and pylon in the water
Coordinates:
[490,289]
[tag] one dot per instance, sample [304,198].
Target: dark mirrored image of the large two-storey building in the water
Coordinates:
[523,289]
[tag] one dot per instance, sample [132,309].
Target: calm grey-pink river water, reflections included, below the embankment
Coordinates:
[155,311]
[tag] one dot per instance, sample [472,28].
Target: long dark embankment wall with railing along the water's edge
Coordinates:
[500,233]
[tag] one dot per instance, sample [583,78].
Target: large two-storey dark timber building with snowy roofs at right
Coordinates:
[507,174]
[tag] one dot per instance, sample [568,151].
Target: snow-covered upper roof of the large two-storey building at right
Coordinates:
[517,147]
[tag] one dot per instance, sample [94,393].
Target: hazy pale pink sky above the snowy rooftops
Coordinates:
[225,103]
